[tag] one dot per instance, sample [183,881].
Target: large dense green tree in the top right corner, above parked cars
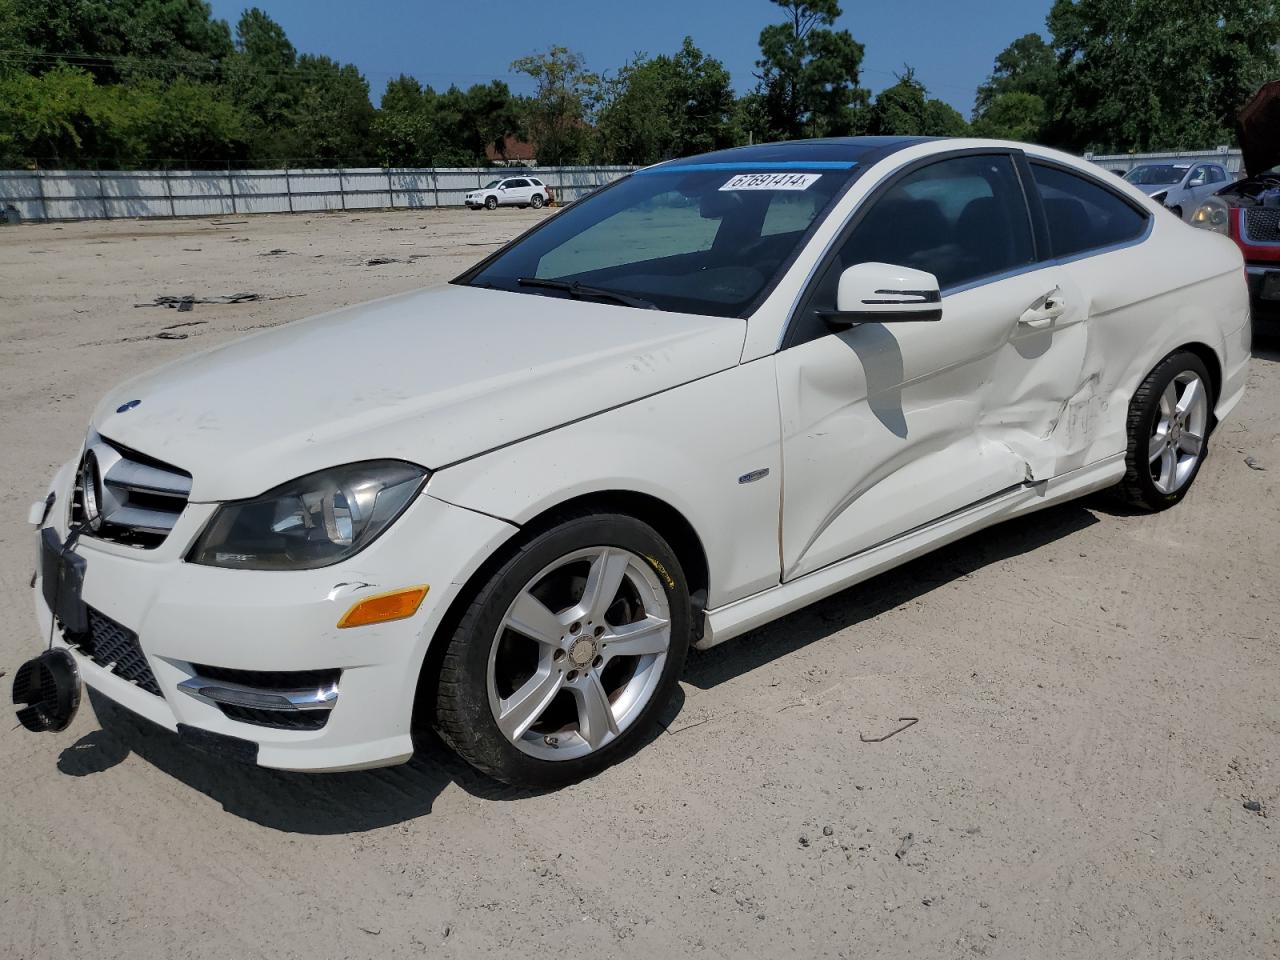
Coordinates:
[1150,75]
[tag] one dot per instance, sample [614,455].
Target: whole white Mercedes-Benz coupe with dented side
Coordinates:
[716,391]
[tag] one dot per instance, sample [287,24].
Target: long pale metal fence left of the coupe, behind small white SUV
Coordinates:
[97,195]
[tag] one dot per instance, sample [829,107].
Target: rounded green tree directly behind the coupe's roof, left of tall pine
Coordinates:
[664,107]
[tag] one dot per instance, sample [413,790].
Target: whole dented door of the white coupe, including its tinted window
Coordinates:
[890,427]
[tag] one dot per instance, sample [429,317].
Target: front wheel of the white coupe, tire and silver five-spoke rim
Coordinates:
[546,714]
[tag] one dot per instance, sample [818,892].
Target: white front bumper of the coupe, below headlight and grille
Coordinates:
[271,621]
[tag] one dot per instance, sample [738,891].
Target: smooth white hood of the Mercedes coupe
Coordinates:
[432,377]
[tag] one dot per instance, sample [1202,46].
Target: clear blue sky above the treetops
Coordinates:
[952,45]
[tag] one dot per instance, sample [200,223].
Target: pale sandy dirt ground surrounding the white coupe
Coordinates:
[1096,692]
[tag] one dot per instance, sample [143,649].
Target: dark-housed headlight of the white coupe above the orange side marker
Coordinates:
[313,522]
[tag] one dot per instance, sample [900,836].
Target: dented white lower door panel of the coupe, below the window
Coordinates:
[889,427]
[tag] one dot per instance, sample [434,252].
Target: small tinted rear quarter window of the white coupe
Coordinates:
[1085,216]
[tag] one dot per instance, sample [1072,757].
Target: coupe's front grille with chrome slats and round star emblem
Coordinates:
[129,497]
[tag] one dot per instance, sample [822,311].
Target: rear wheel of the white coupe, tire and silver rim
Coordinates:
[1171,419]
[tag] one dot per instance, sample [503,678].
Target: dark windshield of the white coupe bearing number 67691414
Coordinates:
[684,237]
